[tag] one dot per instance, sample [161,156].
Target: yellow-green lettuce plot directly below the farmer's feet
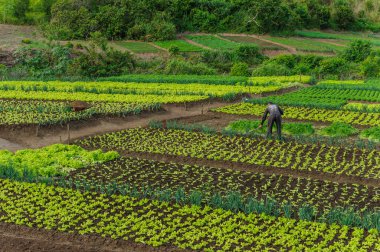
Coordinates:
[285,155]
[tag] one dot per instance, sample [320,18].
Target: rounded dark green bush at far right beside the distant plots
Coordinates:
[358,51]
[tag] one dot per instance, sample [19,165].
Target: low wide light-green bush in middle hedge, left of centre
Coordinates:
[176,66]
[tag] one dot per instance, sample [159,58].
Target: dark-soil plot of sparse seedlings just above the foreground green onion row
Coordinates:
[142,173]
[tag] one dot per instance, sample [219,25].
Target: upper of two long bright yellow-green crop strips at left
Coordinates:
[119,88]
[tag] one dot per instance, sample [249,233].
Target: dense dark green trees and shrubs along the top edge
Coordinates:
[161,20]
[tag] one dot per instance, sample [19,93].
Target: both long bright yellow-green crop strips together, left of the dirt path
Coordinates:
[126,92]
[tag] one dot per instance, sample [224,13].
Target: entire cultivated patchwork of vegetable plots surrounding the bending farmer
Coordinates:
[192,182]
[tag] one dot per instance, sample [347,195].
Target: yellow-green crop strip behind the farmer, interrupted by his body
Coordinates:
[308,114]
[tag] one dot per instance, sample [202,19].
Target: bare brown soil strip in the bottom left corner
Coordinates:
[19,238]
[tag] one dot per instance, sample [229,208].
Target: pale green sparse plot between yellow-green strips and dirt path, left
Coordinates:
[15,112]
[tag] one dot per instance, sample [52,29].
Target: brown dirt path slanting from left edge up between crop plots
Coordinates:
[26,138]
